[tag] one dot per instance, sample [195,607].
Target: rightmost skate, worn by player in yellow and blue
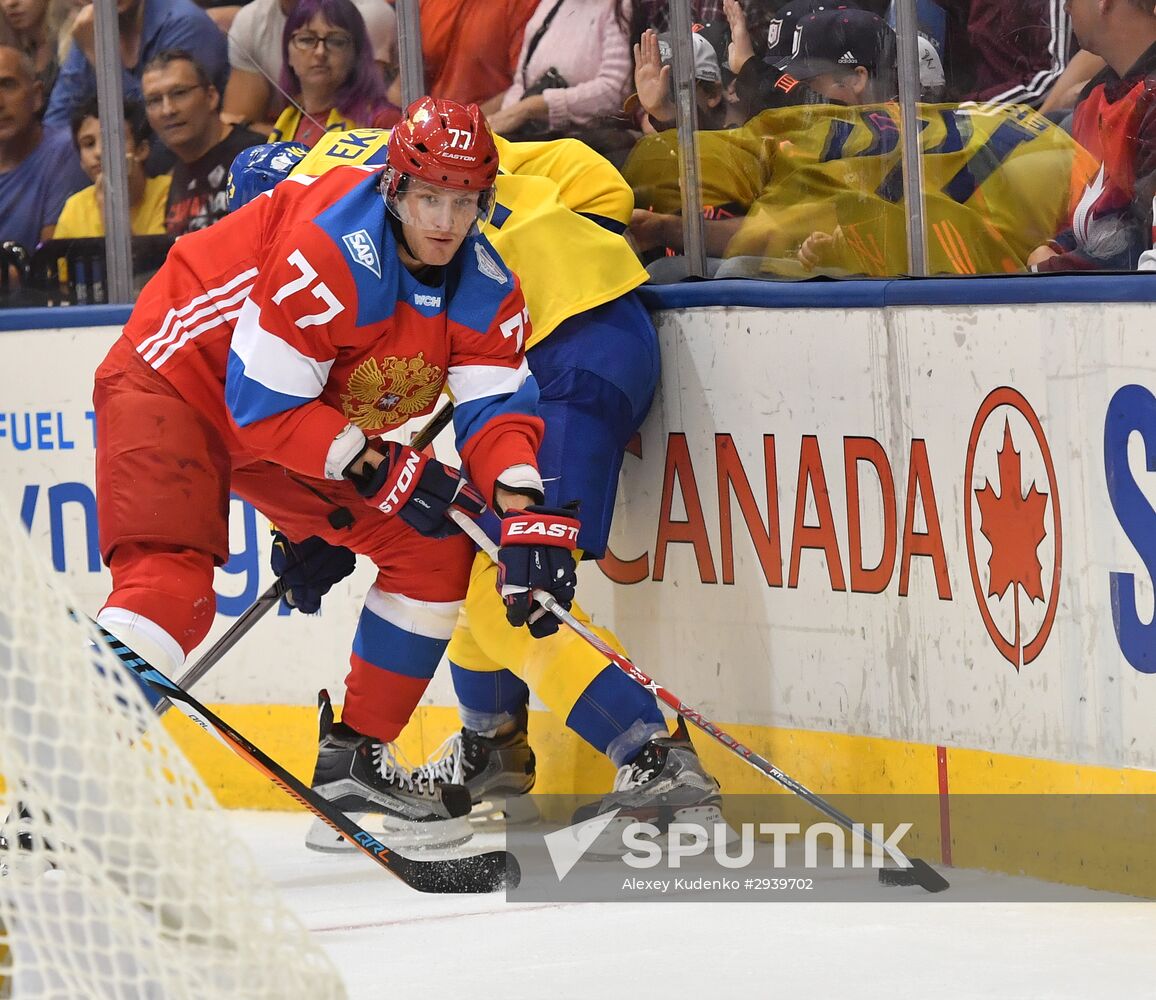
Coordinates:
[665,783]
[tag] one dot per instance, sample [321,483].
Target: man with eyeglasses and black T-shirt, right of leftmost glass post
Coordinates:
[183,108]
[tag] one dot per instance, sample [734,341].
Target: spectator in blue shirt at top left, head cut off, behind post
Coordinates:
[144,29]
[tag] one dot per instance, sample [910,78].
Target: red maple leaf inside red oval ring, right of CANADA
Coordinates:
[1021,524]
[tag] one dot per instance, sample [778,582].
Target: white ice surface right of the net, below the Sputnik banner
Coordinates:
[394,944]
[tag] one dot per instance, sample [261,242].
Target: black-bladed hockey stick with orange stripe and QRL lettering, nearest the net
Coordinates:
[476,873]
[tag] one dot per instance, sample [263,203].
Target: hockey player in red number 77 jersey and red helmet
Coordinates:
[264,359]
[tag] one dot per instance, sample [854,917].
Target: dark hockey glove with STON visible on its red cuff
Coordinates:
[420,491]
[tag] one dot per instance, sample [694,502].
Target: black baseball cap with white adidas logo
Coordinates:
[839,40]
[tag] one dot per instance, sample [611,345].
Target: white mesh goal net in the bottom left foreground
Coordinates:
[120,875]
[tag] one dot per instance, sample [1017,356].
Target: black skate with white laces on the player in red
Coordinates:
[361,776]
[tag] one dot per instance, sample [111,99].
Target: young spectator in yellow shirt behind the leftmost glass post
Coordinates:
[84,213]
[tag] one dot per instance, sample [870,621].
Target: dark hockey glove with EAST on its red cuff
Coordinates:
[537,554]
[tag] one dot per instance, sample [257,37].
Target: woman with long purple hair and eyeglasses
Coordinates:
[329,75]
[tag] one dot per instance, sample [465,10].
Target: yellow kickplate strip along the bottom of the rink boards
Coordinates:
[1042,839]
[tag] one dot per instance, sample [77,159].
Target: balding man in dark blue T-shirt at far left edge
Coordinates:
[39,165]
